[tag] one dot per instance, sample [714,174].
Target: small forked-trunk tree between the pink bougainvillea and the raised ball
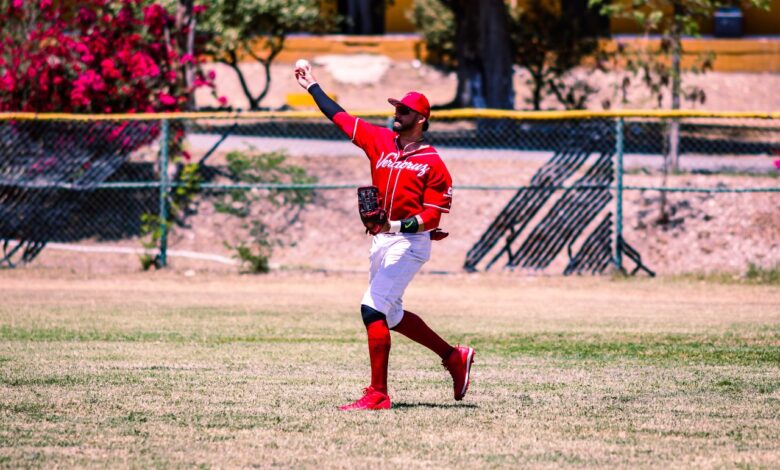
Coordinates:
[233,30]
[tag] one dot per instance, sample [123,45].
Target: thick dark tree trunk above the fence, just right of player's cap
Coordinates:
[484,54]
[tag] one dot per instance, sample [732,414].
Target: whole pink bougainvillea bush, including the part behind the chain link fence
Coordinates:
[87,56]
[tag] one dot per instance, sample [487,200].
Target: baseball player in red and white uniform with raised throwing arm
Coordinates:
[411,189]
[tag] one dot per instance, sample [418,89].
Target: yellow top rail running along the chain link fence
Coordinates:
[446,114]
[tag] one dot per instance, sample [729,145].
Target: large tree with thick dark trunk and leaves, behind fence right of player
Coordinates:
[544,37]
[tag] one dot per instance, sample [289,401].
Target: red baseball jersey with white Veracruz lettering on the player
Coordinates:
[409,183]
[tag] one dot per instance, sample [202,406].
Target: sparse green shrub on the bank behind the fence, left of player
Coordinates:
[266,213]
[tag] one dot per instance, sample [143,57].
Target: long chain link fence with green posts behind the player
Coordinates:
[537,192]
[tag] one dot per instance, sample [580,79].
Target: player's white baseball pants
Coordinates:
[394,260]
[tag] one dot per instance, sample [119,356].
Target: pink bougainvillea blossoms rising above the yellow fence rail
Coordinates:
[99,56]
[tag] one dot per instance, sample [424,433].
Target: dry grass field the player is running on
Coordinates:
[163,370]
